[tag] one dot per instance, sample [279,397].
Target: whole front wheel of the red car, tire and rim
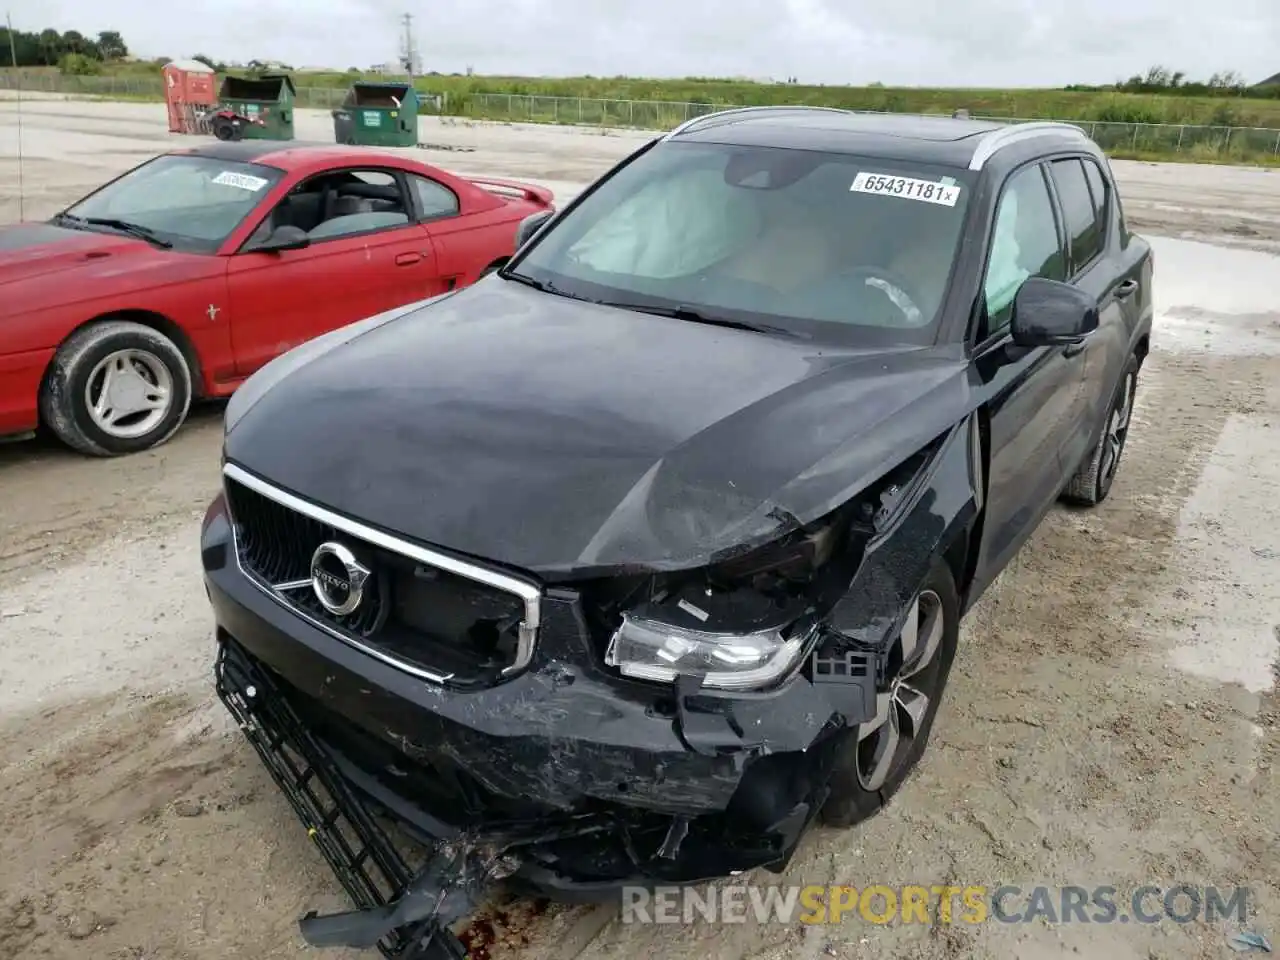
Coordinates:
[147,365]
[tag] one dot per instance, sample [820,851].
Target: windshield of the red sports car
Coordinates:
[194,203]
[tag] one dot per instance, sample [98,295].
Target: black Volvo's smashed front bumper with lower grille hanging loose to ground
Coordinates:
[566,780]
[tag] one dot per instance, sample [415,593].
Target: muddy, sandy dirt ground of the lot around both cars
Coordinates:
[1113,719]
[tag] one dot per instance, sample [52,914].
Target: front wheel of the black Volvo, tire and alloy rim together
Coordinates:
[881,755]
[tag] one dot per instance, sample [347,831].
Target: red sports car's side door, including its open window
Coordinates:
[364,254]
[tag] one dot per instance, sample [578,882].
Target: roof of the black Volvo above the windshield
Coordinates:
[940,140]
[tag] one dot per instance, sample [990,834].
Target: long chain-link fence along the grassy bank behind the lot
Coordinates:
[1244,144]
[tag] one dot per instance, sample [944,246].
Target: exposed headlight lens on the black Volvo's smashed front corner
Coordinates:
[650,650]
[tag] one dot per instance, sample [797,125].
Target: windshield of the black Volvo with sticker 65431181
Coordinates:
[821,245]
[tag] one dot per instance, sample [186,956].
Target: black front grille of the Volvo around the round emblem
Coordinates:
[419,615]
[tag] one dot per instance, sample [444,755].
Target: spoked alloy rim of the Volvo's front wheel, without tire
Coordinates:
[912,688]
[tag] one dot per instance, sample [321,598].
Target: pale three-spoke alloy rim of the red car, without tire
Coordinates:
[129,394]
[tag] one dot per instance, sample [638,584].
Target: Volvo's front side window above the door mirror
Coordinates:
[1025,245]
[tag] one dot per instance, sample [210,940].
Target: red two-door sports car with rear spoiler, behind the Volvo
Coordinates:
[185,276]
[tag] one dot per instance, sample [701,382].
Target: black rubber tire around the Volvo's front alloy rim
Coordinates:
[854,796]
